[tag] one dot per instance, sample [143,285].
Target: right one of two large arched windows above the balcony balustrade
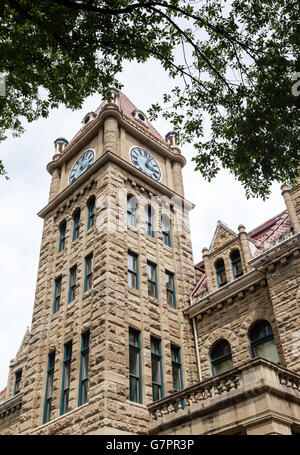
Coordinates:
[262,341]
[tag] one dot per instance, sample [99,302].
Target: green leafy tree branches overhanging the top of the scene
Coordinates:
[235,62]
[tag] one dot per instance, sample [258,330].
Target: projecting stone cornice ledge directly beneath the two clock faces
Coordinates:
[111,157]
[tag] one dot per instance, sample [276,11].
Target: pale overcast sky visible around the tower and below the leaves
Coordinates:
[27,190]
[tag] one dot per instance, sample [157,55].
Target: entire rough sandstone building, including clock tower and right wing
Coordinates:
[128,336]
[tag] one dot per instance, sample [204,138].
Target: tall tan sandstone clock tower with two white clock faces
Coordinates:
[108,334]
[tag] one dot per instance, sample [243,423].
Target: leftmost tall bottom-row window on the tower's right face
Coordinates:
[135,366]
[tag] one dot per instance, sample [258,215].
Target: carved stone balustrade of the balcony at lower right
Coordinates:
[251,378]
